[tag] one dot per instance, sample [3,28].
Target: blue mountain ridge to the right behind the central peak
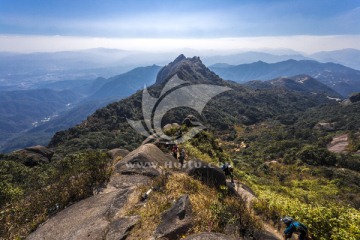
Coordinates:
[342,79]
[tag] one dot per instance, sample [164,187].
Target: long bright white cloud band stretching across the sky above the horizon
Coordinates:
[308,44]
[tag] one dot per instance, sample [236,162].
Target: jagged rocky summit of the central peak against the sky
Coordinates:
[188,69]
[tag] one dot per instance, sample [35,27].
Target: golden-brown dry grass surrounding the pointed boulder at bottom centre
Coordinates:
[211,209]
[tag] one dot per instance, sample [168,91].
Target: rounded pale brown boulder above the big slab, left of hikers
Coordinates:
[146,160]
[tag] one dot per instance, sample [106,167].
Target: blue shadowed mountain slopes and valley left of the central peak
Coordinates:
[21,111]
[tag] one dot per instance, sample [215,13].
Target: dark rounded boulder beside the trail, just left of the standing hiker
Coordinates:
[207,173]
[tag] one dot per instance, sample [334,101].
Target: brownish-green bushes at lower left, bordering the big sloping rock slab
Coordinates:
[46,190]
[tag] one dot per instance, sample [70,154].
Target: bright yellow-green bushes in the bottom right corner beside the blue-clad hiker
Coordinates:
[325,222]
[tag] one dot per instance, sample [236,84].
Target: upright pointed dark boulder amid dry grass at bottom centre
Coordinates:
[176,221]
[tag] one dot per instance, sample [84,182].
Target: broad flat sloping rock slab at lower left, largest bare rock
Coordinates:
[93,218]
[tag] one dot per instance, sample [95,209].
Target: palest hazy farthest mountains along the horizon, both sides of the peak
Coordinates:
[22,71]
